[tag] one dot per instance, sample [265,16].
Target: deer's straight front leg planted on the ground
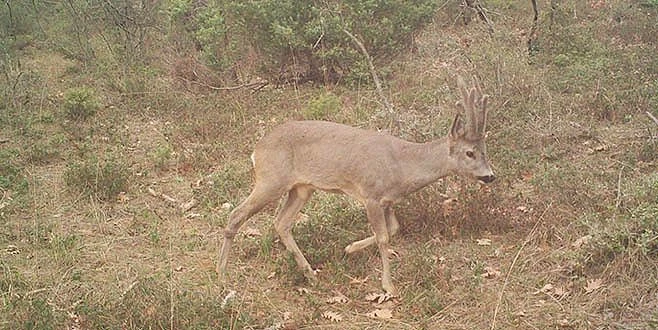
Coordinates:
[377,219]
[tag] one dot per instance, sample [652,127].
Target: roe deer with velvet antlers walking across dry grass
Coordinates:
[377,169]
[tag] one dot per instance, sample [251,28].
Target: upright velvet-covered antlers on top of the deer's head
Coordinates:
[474,104]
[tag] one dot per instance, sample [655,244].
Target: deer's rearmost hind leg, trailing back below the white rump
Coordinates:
[259,197]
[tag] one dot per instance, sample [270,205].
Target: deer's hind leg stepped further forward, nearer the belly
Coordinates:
[297,197]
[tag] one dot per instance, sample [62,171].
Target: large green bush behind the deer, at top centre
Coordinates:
[303,40]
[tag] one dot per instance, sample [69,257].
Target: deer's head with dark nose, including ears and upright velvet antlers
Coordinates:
[467,135]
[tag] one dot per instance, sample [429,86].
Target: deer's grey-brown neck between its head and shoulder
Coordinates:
[424,163]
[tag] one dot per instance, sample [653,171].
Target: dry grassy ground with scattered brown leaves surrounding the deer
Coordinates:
[575,202]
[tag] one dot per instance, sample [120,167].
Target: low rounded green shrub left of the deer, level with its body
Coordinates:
[103,179]
